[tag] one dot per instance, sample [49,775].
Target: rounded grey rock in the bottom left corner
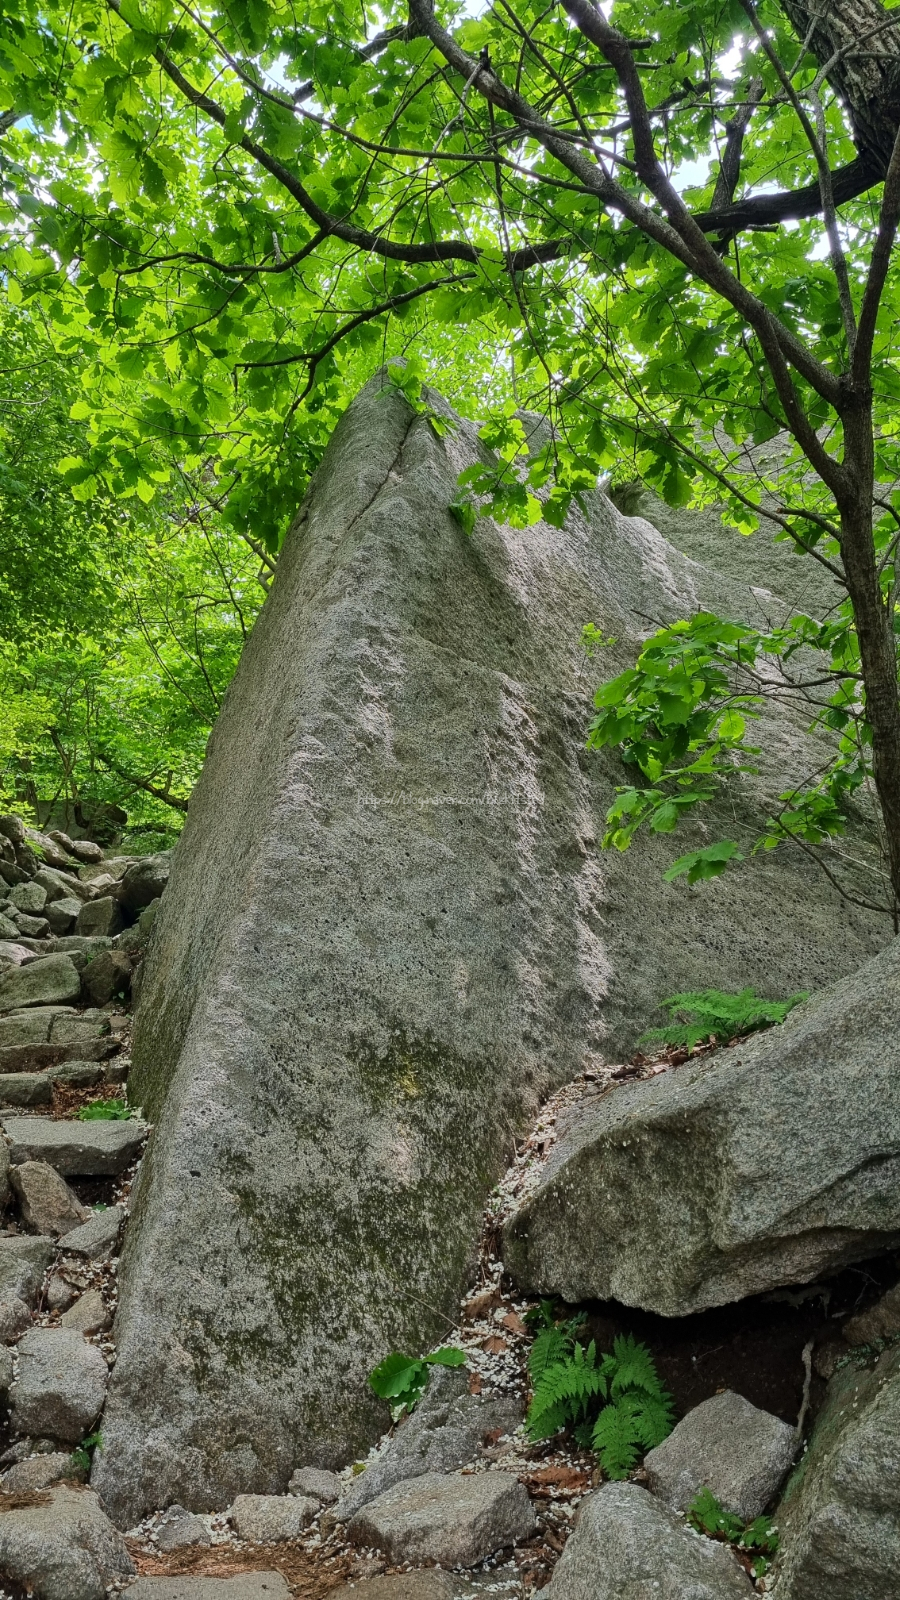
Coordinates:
[65,1548]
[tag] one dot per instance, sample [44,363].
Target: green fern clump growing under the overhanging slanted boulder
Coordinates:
[616,1404]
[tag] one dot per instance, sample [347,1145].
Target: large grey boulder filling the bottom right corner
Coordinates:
[840,1519]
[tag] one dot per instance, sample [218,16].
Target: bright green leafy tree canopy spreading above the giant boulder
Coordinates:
[669,228]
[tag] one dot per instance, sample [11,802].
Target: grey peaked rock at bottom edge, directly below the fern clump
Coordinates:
[627,1546]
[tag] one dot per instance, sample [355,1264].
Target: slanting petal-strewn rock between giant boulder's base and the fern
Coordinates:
[444,1433]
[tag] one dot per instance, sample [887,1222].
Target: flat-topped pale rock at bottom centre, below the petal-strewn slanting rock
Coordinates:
[456,1521]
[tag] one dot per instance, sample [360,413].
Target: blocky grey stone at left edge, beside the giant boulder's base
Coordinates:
[62,1385]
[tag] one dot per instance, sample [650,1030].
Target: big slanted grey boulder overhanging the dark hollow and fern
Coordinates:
[760,1166]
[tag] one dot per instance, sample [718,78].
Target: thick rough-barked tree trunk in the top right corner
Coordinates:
[867,78]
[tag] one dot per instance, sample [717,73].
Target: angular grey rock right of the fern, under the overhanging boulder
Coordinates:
[726,1446]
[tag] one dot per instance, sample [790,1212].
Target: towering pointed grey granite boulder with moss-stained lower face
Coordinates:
[388,932]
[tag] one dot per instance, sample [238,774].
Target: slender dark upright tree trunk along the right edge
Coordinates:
[875,628]
